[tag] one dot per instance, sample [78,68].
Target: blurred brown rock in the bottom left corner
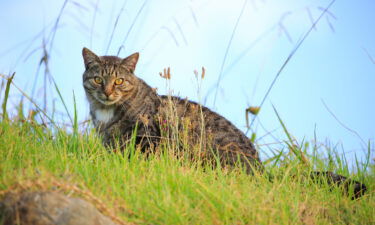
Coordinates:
[49,208]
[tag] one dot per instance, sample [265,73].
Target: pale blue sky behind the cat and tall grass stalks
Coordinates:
[327,89]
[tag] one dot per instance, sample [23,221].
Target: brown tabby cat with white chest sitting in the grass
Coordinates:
[121,103]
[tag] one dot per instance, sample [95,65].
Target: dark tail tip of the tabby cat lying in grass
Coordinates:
[348,185]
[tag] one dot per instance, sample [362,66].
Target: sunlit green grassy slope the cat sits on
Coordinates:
[164,190]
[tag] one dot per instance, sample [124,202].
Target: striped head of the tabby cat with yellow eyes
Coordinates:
[108,79]
